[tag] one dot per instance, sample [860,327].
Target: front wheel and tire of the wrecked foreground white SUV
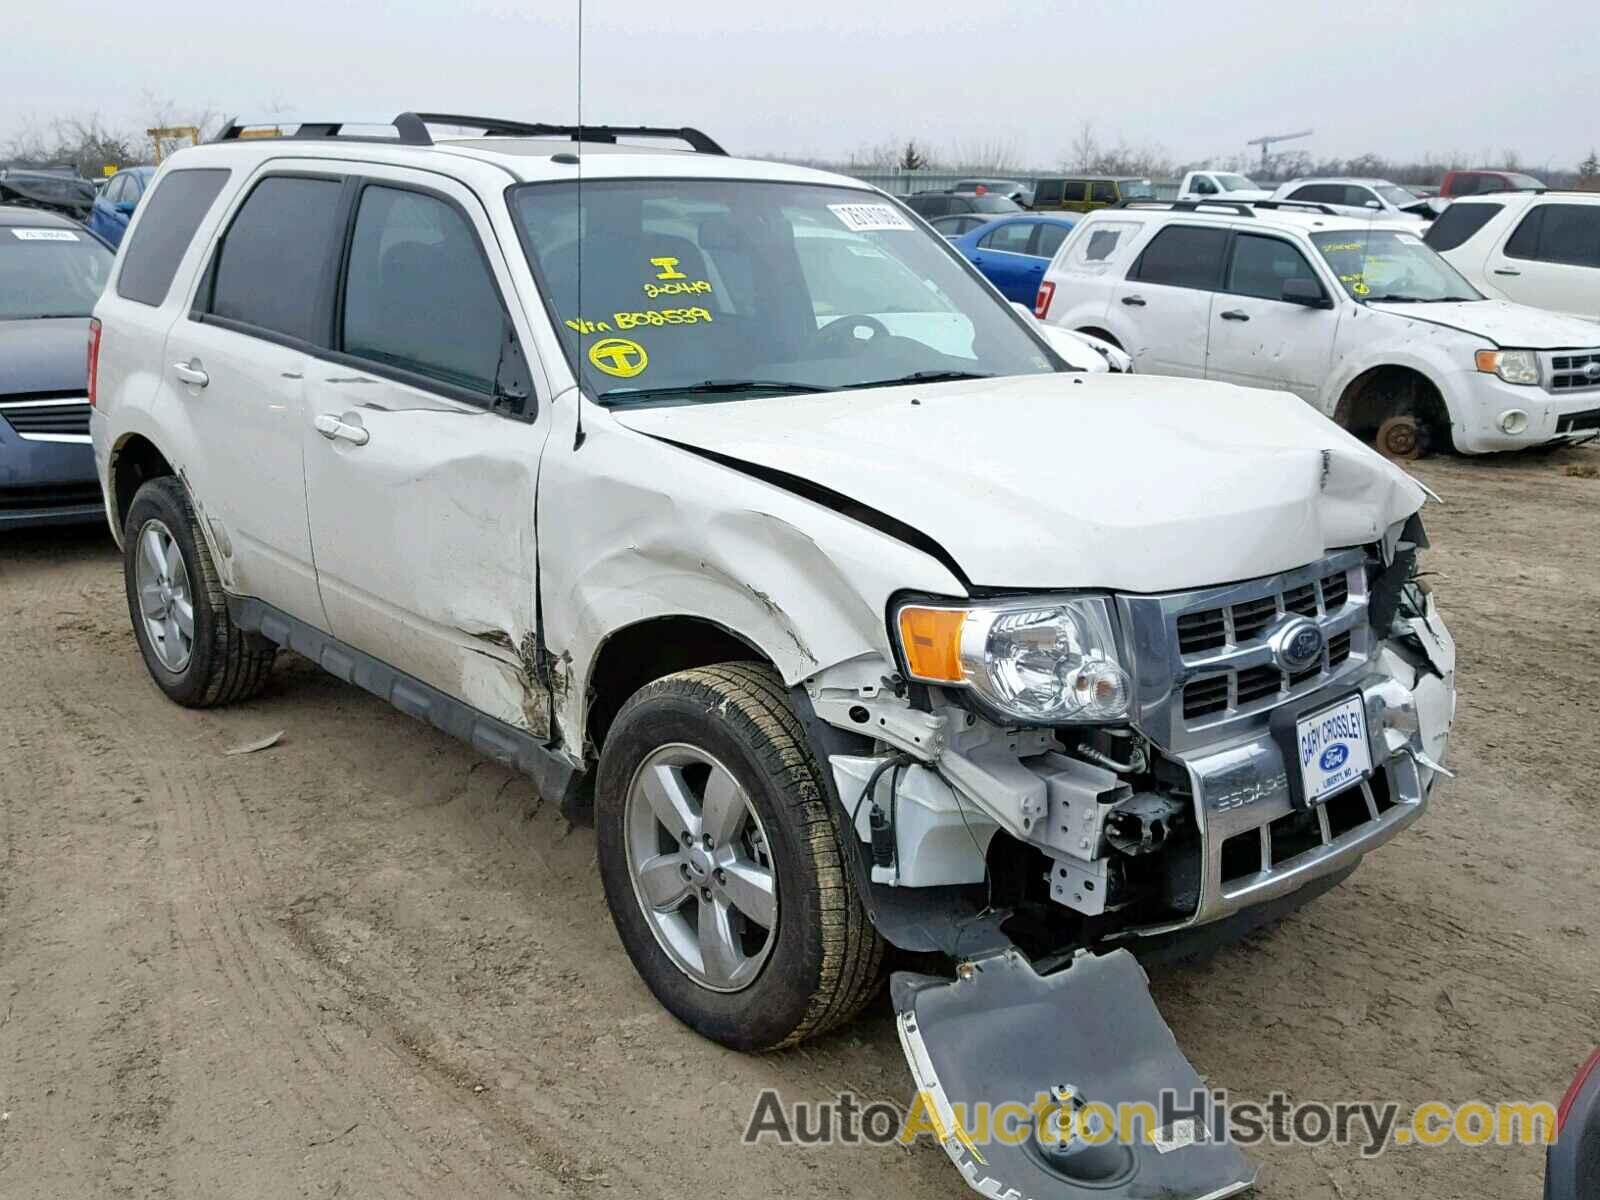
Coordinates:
[722,865]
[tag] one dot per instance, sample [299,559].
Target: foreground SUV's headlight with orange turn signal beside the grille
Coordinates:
[1042,660]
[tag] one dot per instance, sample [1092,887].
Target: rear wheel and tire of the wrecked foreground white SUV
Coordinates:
[191,646]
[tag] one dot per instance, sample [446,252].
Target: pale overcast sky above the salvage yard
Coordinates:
[823,78]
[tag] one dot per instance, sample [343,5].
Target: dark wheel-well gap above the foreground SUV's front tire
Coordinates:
[636,655]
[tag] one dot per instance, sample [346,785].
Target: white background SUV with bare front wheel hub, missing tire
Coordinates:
[1358,318]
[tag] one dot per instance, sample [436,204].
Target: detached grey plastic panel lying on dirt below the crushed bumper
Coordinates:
[1002,1038]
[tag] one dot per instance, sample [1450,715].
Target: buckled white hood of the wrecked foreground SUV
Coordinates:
[1074,481]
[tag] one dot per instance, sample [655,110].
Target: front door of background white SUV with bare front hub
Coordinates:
[1260,340]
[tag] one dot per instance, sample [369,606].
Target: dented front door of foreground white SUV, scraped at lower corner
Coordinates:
[423,446]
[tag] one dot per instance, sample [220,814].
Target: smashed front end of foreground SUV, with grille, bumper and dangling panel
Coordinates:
[1279,730]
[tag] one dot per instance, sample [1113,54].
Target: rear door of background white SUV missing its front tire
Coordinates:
[1166,302]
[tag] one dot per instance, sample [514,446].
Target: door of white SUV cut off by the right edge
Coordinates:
[1551,260]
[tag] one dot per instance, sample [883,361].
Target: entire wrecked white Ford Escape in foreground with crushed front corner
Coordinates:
[730,492]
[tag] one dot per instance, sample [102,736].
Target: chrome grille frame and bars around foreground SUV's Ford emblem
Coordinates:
[1162,671]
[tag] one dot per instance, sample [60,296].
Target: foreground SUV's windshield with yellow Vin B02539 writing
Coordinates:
[695,289]
